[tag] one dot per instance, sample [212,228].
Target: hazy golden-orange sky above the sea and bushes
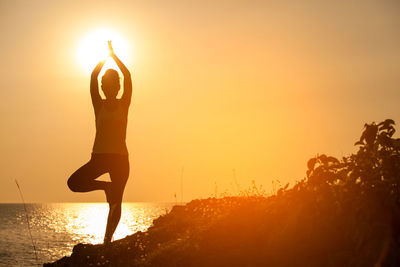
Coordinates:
[255,86]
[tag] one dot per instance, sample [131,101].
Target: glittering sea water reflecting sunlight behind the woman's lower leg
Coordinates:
[57,227]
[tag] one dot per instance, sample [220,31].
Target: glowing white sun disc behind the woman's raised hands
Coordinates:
[93,48]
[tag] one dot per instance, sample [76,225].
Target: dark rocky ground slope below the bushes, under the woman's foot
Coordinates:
[250,231]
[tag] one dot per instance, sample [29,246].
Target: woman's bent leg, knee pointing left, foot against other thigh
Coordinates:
[83,180]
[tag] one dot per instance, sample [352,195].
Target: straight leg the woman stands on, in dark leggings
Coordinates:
[119,173]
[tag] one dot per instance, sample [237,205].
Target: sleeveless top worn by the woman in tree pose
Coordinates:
[111,130]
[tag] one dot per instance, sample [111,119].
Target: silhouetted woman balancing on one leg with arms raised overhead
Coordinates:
[110,154]
